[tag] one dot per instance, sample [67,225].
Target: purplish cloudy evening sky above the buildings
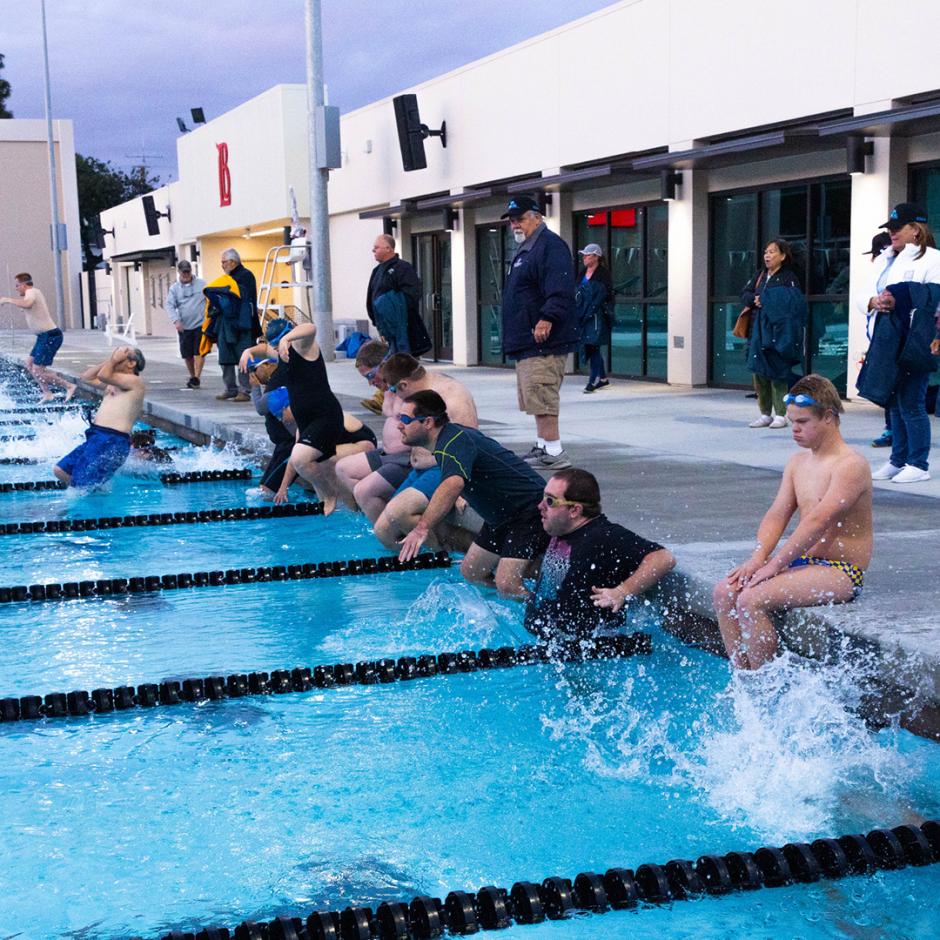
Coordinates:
[123,71]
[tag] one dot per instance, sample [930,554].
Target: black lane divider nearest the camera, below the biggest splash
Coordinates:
[526,902]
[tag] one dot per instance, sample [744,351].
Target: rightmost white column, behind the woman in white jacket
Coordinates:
[873,195]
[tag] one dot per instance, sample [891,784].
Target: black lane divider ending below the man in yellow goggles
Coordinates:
[302,678]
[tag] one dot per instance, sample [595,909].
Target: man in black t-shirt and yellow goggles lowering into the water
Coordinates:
[592,566]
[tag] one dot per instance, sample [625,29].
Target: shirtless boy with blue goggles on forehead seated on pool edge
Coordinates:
[824,560]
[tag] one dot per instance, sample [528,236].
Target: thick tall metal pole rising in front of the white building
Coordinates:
[319,206]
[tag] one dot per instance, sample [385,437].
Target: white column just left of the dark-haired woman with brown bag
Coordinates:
[688,281]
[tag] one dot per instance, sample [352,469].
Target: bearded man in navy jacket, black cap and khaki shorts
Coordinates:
[540,325]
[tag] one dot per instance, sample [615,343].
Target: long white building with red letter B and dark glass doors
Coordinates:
[651,128]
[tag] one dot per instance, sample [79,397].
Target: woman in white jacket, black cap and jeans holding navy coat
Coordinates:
[911,260]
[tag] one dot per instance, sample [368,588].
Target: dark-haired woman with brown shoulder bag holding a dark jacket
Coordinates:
[775,340]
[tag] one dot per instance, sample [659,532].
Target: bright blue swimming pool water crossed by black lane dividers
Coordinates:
[294,736]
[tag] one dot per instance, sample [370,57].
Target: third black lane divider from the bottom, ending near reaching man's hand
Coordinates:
[108,587]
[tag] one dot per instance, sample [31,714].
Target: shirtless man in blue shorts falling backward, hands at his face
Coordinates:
[108,440]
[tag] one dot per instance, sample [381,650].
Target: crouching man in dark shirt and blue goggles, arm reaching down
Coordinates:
[495,482]
